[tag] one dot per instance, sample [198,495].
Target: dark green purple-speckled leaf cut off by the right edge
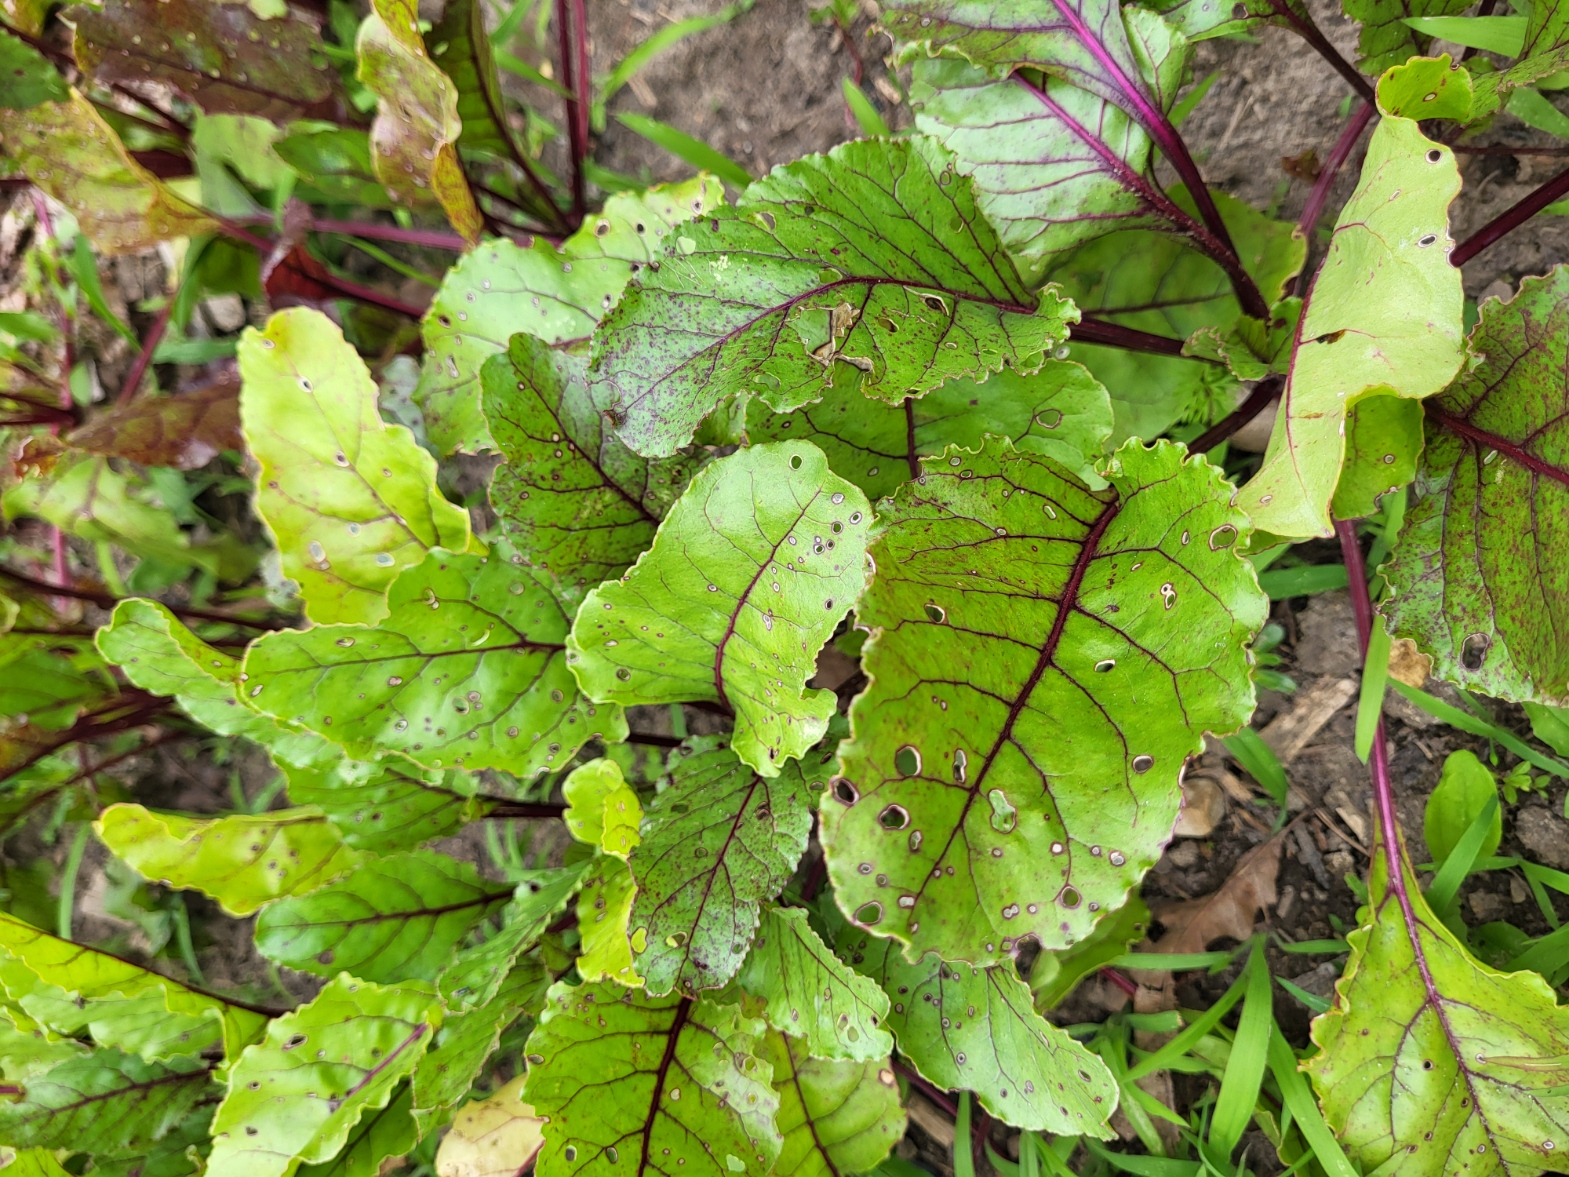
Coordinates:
[1480,577]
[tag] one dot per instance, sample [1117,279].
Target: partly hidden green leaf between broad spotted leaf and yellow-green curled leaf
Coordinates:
[388,804]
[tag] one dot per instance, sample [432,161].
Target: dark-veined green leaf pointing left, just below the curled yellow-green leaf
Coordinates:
[396,919]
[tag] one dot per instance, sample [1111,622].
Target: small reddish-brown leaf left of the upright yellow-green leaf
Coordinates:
[186,431]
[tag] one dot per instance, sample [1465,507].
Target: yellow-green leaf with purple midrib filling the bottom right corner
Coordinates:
[1433,1063]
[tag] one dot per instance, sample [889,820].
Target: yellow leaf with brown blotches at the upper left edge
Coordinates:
[71,153]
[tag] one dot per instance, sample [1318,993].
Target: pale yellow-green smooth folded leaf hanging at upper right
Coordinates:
[1383,318]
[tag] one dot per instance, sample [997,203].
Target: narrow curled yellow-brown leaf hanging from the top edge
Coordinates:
[413,142]
